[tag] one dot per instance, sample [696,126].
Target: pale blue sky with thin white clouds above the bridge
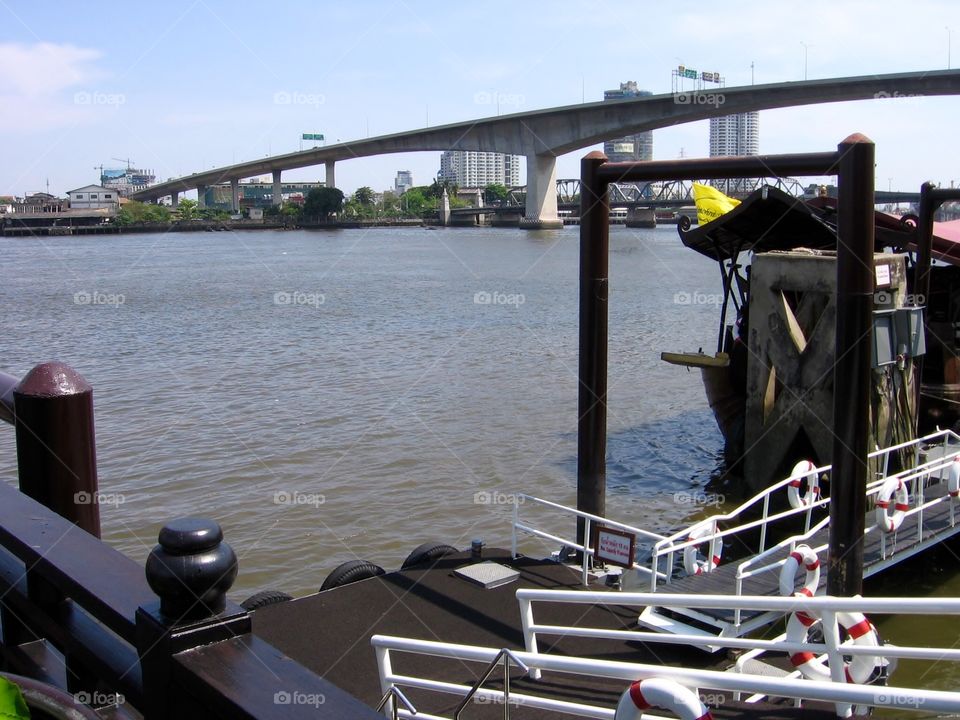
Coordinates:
[179,87]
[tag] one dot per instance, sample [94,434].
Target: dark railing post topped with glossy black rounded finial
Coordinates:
[191,570]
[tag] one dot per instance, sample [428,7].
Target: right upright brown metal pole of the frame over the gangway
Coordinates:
[851,384]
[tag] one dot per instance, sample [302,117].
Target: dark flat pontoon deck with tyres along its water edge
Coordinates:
[330,634]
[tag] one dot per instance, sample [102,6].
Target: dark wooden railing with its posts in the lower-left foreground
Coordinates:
[77,614]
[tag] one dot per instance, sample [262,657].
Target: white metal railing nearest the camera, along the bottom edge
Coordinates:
[843,694]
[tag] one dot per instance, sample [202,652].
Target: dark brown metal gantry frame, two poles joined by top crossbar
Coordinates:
[853,164]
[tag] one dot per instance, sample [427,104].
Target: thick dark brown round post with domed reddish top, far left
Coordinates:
[56,453]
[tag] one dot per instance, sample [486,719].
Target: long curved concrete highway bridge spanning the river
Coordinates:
[543,135]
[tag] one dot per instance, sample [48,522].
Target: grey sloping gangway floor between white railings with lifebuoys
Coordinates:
[938,526]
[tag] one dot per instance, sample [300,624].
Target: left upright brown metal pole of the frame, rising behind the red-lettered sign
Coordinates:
[594,286]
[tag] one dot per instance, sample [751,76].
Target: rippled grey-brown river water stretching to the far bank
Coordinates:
[349,394]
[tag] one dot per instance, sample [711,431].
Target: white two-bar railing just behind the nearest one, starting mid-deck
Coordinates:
[823,607]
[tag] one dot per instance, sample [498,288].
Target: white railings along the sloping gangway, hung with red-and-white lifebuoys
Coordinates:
[923,471]
